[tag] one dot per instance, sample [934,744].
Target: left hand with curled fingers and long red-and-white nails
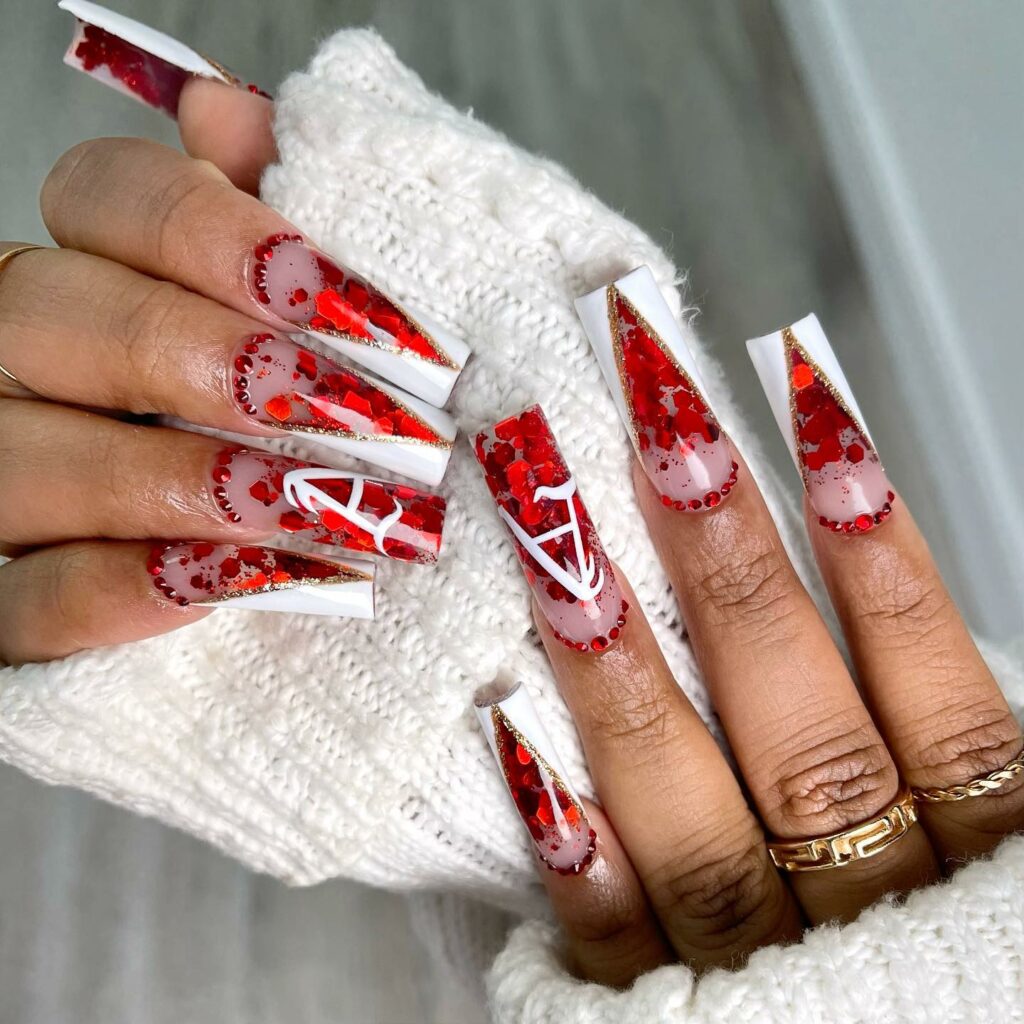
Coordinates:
[155,304]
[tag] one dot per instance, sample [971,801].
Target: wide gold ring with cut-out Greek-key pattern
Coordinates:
[859,843]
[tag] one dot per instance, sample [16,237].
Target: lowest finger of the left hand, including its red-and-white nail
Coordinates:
[87,594]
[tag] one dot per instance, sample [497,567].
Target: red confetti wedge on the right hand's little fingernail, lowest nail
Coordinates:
[556,820]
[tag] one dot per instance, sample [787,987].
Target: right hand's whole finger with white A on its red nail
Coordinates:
[672,798]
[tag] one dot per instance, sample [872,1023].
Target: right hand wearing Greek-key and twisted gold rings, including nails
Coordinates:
[674,864]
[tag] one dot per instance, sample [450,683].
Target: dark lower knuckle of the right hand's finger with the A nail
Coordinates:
[724,895]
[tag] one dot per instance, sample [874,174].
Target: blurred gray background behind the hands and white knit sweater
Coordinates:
[785,154]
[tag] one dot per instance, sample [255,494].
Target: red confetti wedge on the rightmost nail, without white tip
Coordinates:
[844,478]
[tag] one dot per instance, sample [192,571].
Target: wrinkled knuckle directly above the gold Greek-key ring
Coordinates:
[837,781]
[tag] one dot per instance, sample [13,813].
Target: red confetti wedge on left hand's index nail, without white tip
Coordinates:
[307,288]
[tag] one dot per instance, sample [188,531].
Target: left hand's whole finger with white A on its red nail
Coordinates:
[68,474]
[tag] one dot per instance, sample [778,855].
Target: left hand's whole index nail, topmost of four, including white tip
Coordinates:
[306,288]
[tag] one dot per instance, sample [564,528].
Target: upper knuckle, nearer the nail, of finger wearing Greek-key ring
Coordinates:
[752,583]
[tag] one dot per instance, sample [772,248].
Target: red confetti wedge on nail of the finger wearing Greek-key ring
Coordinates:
[681,446]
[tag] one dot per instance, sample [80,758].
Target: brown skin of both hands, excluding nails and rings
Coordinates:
[140,313]
